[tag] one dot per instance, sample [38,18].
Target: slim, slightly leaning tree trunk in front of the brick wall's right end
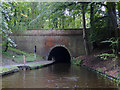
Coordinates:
[85,32]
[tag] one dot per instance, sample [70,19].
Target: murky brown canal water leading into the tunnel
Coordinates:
[57,76]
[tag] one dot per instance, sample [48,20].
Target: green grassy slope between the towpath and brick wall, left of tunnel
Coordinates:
[18,55]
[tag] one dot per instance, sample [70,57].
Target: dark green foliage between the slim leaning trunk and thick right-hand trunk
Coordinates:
[101,24]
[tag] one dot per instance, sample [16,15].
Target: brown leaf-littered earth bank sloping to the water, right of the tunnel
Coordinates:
[108,68]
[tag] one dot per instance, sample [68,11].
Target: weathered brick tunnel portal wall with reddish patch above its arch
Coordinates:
[45,40]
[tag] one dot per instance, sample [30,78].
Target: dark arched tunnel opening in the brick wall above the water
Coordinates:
[59,54]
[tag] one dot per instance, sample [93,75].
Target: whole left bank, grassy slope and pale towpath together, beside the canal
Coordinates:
[13,61]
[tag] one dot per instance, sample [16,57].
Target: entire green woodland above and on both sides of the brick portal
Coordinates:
[101,18]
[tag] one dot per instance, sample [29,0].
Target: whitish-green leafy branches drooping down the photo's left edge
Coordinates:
[5,28]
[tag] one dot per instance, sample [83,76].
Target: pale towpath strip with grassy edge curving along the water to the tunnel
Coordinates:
[10,69]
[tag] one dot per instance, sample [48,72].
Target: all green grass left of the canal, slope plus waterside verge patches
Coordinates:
[18,57]
